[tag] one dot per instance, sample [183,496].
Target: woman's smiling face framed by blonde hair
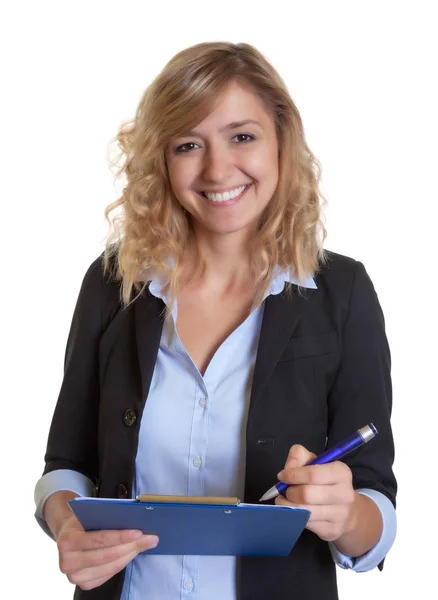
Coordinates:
[225,171]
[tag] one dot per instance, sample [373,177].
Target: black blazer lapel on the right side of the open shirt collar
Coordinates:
[281,315]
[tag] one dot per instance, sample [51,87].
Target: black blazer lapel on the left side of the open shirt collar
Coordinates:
[148,317]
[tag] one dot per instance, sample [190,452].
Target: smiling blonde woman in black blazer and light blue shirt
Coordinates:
[253,347]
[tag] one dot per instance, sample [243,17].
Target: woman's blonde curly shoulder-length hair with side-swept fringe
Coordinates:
[147,223]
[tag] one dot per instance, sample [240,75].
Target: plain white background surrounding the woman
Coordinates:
[363,75]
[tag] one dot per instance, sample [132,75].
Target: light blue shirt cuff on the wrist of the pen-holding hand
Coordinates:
[373,557]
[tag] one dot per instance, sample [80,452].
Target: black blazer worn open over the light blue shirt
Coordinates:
[322,371]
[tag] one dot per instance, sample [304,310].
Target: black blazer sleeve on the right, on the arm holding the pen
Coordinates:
[362,391]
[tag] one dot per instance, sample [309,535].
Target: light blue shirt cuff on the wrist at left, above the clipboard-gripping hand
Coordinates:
[56,481]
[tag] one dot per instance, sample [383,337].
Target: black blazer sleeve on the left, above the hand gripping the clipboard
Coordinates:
[72,442]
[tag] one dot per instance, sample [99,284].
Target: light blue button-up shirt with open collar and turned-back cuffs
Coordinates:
[192,442]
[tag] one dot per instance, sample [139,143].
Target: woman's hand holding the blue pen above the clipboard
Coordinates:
[325,490]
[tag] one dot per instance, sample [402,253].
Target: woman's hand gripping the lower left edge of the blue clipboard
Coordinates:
[91,558]
